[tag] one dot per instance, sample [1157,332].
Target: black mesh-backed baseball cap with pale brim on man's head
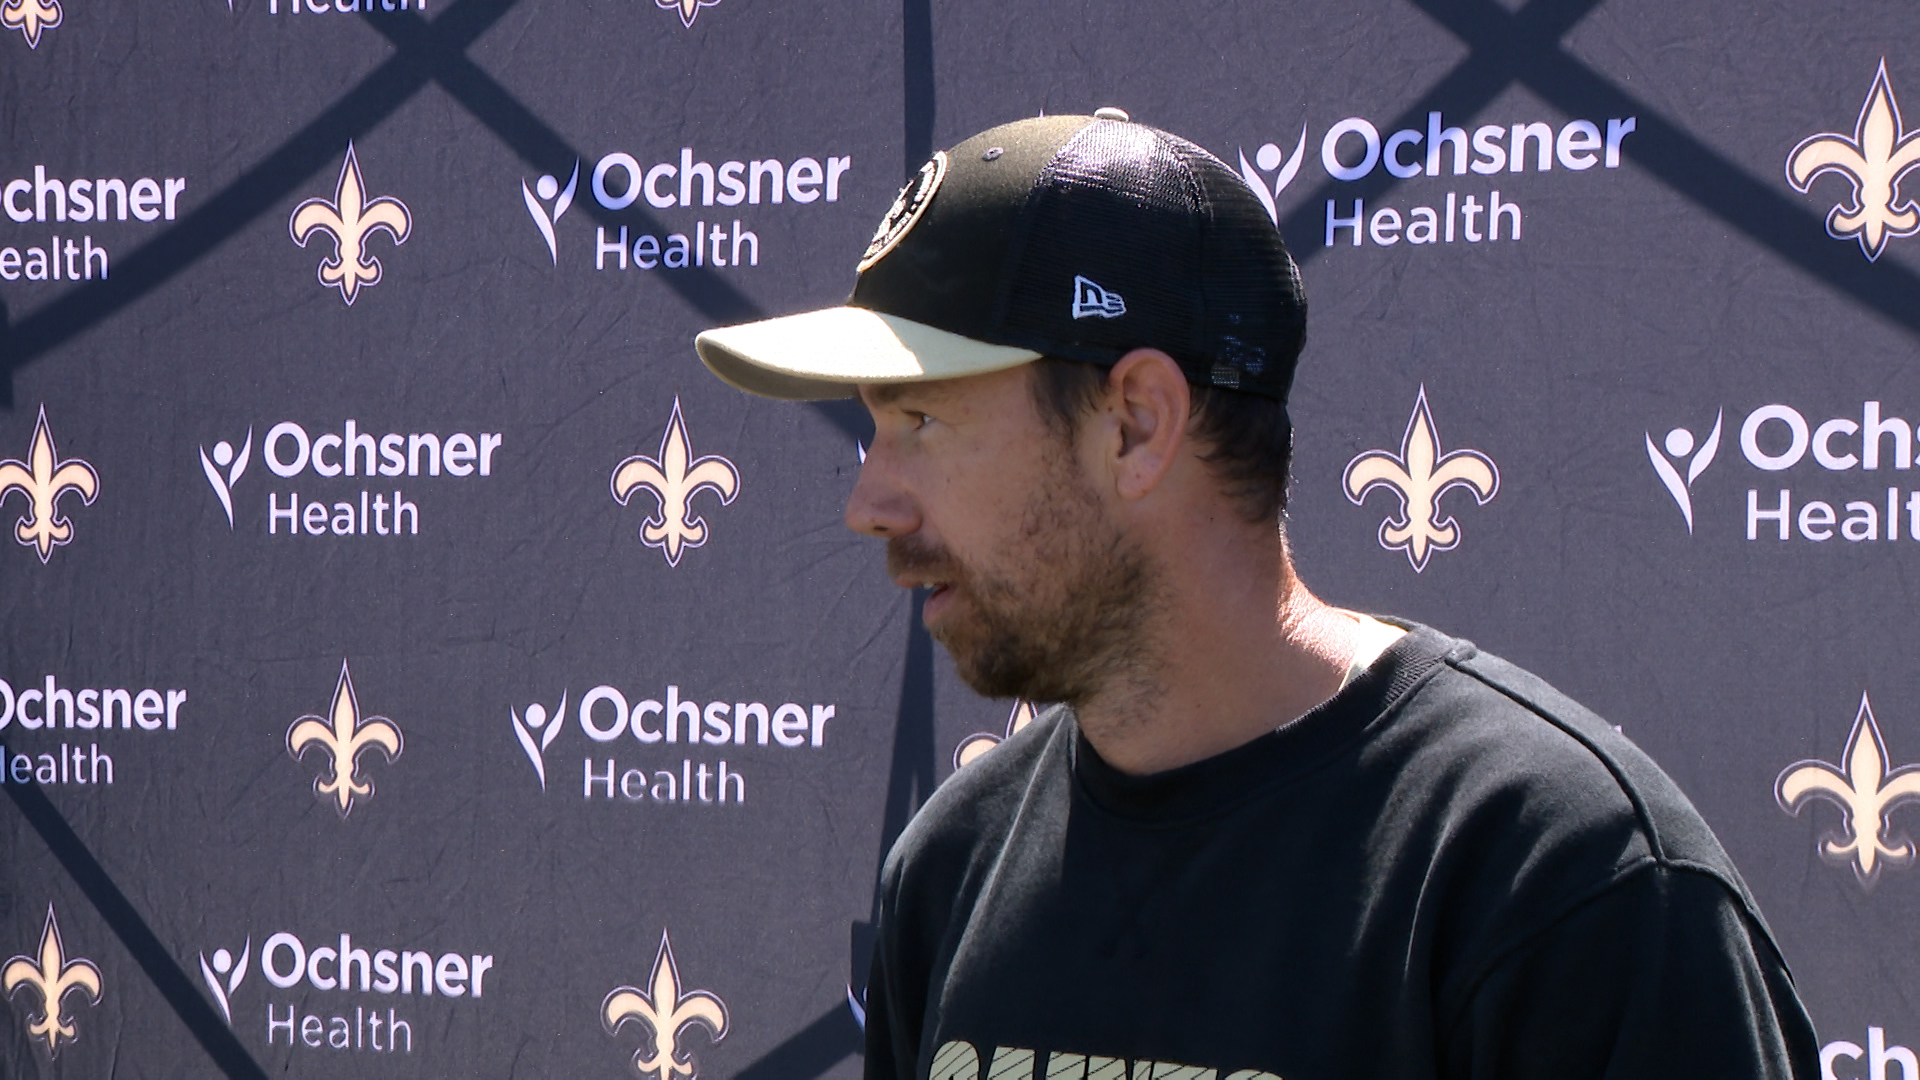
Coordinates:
[1074,237]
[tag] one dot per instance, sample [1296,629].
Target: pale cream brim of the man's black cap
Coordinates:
[830,353]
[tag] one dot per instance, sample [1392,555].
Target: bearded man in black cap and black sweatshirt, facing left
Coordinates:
[1262,837]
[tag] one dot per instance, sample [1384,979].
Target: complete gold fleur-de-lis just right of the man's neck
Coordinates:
[1420,476]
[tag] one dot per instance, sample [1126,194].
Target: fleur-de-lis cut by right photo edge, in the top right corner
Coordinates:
[1875,162]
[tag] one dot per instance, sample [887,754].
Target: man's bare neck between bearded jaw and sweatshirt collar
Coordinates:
[1234,660]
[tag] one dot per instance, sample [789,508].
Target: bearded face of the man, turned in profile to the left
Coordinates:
[1036,591]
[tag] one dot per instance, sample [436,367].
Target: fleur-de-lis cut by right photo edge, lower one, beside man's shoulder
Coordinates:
[1865,793]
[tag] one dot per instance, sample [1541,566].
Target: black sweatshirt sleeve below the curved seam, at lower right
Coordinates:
[1664,975]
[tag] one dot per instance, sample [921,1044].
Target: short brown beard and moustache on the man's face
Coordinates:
[1059,612]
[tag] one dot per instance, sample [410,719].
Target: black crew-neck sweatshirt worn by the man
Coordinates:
[1449,870]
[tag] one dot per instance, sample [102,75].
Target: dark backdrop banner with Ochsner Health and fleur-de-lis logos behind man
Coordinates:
[420,666]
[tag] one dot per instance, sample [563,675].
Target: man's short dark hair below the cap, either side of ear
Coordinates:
[1249,439]
